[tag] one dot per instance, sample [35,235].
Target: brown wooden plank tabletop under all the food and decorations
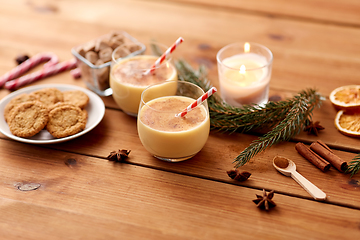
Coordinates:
[82,195]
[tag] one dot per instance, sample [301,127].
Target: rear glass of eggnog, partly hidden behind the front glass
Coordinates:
[129,77]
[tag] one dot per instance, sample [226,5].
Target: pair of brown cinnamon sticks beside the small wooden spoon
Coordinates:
[321,156]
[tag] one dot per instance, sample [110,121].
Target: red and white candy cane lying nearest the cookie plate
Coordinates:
[45,72]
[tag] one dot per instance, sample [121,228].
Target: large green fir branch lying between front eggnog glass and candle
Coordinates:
[284,118]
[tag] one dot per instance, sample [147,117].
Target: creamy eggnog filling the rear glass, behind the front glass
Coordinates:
[128,80]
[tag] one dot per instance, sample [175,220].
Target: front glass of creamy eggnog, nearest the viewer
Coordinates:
[164,134]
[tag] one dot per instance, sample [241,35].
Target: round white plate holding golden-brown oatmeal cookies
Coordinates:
[50,113]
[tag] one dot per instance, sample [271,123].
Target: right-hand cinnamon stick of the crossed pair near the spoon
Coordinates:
[324,151]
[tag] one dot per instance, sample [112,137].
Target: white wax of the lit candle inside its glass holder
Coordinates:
[244,79]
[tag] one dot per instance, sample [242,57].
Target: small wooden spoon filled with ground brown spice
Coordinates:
[288,168]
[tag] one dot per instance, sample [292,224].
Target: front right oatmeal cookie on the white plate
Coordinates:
[66,121]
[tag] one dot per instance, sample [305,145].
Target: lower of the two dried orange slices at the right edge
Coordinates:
[348,123]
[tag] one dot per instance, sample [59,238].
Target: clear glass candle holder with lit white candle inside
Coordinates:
[244,73]
